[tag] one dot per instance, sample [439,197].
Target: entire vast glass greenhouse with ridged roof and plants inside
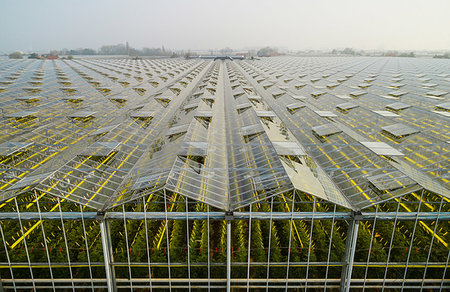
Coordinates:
[284,173]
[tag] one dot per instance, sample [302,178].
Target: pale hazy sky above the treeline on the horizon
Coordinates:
[201,24]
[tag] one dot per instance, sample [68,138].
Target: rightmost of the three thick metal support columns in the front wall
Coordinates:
[350,248]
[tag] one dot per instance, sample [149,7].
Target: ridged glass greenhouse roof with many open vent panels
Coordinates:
[227,133]
